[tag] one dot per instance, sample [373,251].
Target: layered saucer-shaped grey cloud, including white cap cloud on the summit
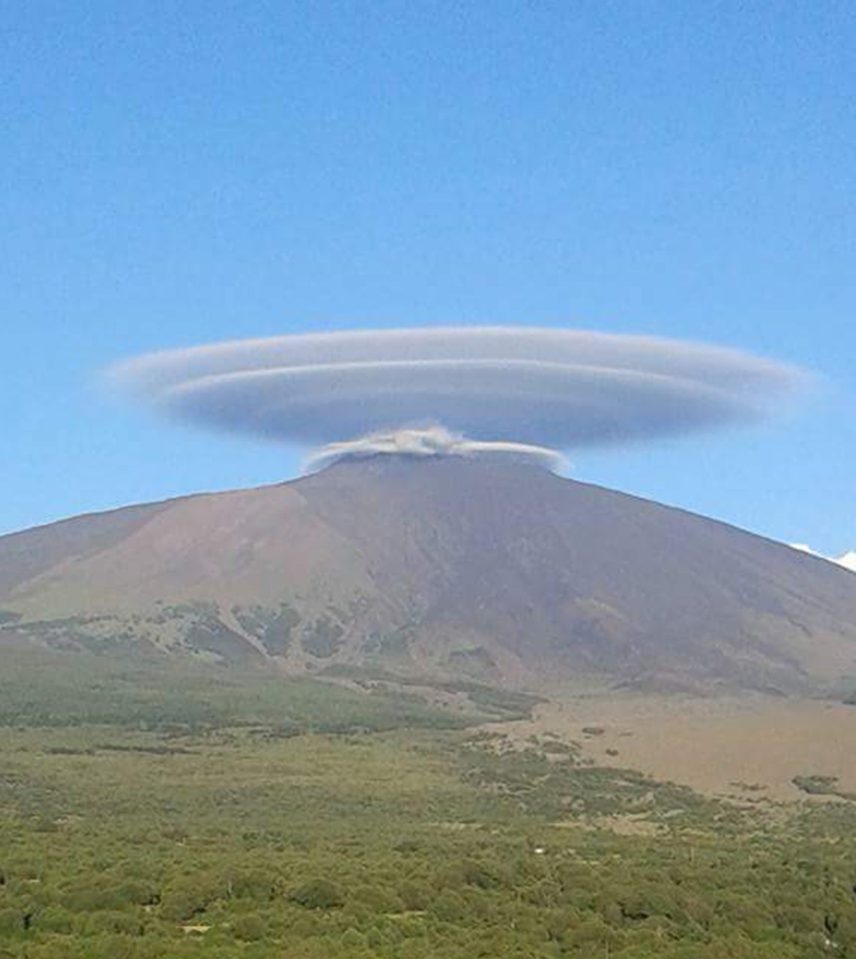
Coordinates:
[437,390]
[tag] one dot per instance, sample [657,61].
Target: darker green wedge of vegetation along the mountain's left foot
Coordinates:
[174,696]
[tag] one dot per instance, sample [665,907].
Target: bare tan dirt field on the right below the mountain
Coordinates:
[744,747]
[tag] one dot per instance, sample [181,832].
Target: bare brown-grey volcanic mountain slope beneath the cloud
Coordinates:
[459,567]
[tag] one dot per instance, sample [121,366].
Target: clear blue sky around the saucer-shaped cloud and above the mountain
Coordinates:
[176,173]
